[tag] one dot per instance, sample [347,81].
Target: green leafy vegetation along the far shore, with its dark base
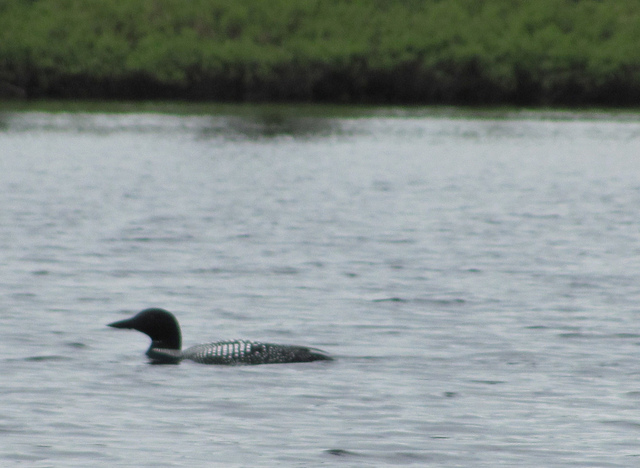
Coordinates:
[568,52]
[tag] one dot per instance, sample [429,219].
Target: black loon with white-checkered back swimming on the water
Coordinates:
[166,343]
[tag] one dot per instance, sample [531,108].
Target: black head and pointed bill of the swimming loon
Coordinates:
[161,326]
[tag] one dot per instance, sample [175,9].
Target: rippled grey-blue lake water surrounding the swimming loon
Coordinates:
[477,278]
